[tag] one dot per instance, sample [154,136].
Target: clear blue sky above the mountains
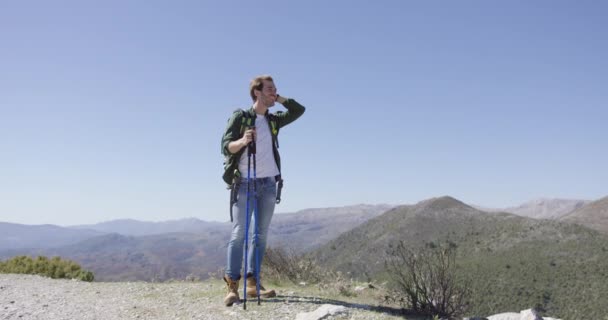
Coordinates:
[115,109]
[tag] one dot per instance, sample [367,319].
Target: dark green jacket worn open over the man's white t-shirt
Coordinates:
[234,131]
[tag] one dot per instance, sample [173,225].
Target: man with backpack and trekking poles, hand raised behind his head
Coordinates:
[255,128]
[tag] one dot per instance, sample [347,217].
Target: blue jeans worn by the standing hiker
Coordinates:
[266,200]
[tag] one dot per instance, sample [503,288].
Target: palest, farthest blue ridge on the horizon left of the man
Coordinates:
[141,228]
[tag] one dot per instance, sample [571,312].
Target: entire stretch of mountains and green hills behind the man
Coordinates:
[557,260]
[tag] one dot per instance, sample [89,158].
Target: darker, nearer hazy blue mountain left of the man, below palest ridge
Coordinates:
[115,257]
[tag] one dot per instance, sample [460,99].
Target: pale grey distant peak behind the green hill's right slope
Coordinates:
[546,208]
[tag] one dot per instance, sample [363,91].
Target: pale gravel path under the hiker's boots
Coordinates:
[35,297]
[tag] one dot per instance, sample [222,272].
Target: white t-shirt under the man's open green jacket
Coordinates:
[266,166]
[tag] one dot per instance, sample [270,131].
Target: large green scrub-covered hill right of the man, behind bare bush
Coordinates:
[514,261]
